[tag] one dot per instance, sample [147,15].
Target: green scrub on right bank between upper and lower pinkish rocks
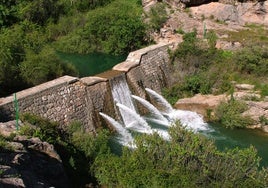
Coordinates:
[207,70]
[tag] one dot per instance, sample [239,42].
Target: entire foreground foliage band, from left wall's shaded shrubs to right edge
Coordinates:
[186,160]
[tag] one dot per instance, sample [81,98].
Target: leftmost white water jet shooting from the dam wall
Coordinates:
[125,137]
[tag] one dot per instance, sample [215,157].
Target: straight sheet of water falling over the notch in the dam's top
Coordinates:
[121,94]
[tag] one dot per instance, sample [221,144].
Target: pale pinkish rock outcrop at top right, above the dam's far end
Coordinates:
[222,17]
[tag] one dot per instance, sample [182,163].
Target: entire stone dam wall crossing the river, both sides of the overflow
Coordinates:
[67,99]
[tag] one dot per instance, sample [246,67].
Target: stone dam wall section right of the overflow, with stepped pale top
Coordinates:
[151,71]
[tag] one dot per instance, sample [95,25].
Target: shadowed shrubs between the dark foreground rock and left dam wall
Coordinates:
[77,148]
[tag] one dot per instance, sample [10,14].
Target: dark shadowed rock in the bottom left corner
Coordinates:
[31,163]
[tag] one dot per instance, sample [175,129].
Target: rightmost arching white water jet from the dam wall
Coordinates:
[160,100]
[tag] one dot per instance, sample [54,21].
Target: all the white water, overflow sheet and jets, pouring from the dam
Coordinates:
[134,122]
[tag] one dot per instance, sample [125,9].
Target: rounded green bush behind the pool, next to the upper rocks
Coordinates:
[108,29]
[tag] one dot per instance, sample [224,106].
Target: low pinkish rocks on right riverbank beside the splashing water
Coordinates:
[206,104]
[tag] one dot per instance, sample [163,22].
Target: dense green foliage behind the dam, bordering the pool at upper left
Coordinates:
[32,32]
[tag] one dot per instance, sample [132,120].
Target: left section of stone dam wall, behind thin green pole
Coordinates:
[60,100]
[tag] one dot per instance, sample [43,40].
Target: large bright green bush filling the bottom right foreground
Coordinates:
[187,160]
